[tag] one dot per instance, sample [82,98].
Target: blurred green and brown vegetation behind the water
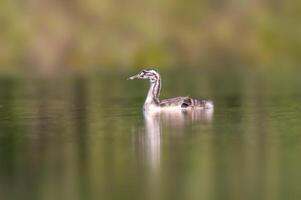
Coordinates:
[79,35]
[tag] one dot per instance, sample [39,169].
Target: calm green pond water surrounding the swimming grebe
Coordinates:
[87,138]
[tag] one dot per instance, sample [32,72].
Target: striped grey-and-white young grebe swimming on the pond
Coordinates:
[153,102]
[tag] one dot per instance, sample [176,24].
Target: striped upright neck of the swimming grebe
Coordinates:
[153,92]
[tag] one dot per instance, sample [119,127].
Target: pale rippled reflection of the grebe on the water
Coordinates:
[151,140]
